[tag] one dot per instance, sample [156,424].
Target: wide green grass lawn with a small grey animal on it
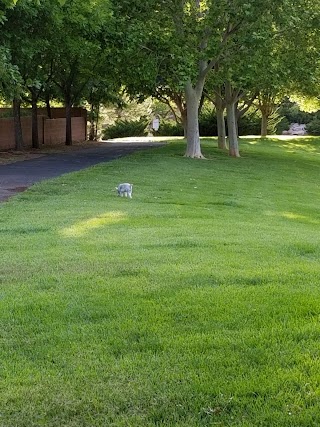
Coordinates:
[196,303]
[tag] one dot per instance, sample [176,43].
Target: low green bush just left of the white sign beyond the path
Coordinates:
[124,128]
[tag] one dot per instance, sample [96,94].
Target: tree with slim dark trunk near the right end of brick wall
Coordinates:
[76,57]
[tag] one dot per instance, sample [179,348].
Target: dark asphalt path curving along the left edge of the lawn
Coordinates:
[18,176]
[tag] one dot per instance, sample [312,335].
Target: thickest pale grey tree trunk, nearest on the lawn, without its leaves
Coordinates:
[193,138]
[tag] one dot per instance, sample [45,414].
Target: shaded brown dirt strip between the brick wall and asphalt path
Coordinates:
[12,156]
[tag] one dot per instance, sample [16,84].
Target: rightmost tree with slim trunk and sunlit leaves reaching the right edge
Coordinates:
[288,64]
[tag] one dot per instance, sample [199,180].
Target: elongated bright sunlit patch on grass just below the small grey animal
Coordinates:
[83,227]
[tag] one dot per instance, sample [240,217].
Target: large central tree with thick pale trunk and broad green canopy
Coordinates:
[191,38]
